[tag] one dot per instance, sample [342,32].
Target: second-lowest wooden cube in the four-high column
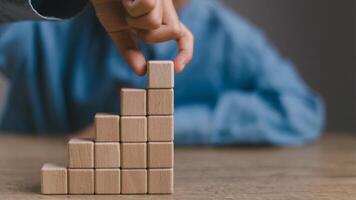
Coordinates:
[133,155]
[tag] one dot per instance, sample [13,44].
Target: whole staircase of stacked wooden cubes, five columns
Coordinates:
[132,153]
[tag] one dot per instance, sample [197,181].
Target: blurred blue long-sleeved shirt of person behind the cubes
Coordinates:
[236,90]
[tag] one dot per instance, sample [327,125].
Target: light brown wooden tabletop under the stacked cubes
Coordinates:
[325,170]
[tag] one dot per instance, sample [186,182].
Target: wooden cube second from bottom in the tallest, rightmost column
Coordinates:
[160,154]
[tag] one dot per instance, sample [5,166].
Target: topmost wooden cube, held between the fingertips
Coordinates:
[160,74]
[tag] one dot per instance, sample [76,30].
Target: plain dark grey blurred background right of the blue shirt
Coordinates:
[319,36]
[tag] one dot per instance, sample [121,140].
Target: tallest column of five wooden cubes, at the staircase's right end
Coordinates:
[160,127]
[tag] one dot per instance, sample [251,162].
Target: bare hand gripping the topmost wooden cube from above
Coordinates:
[152,21]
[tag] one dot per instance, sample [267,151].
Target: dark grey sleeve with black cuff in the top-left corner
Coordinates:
[18,10]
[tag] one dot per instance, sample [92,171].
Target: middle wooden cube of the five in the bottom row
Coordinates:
[107,181]
